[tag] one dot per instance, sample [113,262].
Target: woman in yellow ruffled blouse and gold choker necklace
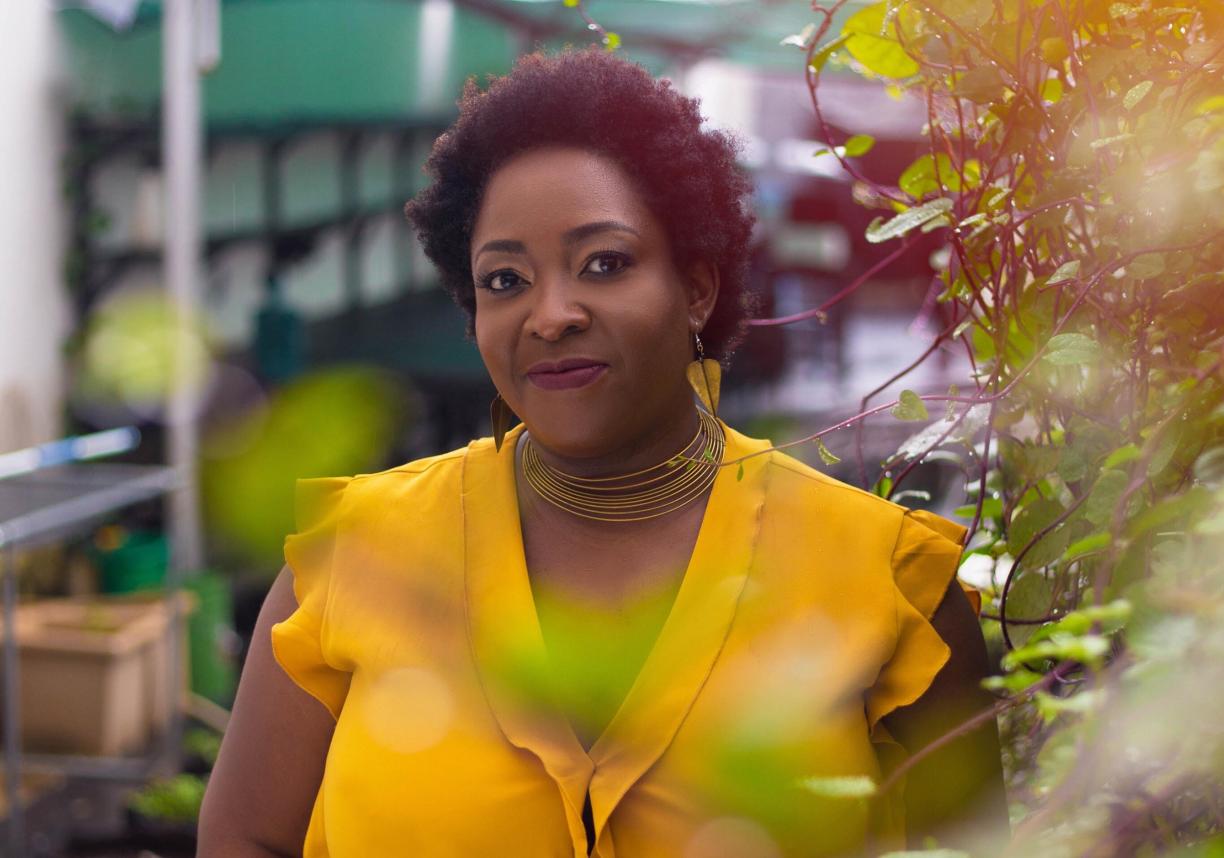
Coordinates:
[624,629]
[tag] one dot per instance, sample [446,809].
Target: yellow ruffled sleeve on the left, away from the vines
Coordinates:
[299,642]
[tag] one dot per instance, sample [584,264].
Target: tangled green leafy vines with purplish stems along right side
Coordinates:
[1075,167]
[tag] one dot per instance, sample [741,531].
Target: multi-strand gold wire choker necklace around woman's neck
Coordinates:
[633,498]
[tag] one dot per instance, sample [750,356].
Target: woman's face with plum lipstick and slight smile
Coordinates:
[582,318]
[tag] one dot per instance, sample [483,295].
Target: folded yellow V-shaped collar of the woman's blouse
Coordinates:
[506,637]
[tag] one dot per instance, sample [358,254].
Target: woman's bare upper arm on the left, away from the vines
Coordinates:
[271,763]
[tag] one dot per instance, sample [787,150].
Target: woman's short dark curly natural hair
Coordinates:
[592,100]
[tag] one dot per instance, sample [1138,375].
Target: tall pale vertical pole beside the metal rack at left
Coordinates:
[182,147]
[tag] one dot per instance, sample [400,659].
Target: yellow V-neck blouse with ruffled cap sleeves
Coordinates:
[801,621]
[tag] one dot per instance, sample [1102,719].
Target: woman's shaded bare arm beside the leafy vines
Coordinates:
[955,795]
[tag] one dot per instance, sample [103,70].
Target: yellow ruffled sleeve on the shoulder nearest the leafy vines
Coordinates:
[925,561]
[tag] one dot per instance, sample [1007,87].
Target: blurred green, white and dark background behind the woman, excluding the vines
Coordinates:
[211,192]
